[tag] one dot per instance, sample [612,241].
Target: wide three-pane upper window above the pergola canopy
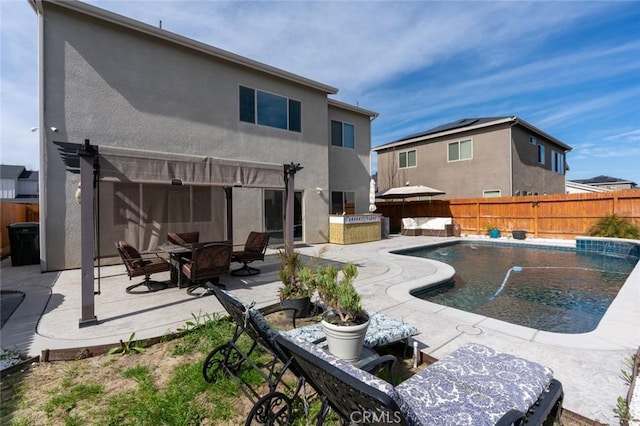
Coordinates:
[271,110]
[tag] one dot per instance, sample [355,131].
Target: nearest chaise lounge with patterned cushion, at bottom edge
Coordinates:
[474,385]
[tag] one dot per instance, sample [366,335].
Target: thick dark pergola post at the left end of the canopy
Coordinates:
[87,155]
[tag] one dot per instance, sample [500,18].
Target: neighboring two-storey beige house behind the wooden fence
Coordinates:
[478,157]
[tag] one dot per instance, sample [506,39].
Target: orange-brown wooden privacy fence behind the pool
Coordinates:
[544,216]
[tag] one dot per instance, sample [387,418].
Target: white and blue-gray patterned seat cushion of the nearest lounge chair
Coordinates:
[474,385]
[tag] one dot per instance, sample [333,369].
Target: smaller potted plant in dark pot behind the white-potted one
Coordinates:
[296,289]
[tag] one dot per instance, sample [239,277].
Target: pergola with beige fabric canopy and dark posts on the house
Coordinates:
[113,164]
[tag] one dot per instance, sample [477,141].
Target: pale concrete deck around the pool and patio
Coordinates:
[588,365]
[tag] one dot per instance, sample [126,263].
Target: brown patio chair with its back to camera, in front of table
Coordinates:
[204,265]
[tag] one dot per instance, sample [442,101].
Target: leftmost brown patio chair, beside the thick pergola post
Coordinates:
[138,265]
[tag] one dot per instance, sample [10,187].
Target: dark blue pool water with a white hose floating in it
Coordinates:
[560,291]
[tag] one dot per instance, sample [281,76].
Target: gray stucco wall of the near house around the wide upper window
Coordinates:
[121,88]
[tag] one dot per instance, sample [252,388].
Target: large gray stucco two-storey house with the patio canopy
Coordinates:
[162,108]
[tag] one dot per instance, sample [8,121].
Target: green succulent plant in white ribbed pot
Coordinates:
[344,321]
